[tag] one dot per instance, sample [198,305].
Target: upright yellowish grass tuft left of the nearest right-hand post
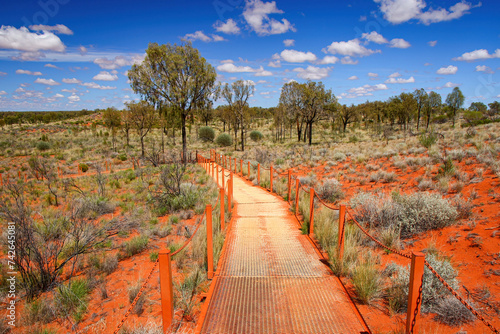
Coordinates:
[367,279]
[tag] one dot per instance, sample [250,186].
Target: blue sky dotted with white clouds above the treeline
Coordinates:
[72,54]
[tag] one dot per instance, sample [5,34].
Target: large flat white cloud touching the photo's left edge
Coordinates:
[23,40]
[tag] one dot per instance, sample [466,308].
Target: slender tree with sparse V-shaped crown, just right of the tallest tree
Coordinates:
[237,96]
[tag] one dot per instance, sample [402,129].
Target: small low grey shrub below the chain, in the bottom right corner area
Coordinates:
[452,312]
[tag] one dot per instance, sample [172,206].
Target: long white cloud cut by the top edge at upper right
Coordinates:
[399,11]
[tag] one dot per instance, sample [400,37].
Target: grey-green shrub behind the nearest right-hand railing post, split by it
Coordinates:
[433,291]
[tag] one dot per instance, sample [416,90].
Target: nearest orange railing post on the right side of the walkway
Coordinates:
[415,292]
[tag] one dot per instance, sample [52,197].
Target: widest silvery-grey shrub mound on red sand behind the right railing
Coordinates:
[411,214]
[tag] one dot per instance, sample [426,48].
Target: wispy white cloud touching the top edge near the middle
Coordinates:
[256,14]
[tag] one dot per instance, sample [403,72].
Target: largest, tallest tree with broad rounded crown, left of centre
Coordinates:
[178,75]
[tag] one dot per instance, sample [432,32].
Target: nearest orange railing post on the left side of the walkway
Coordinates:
[166,290]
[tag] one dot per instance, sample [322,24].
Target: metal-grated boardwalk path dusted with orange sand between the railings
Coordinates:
[270,278]
